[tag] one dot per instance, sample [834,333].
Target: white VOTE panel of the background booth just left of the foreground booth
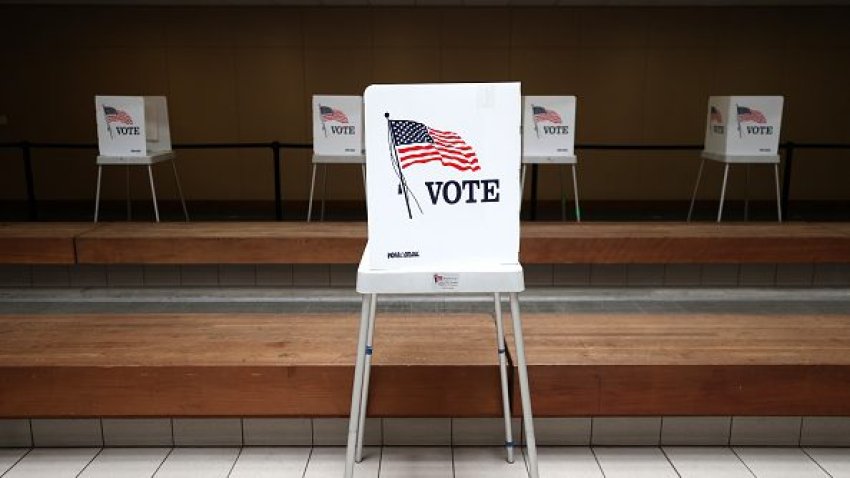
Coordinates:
[338,125]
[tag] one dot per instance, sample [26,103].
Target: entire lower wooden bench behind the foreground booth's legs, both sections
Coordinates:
[302,365]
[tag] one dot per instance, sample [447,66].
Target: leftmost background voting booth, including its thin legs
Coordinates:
[133,131]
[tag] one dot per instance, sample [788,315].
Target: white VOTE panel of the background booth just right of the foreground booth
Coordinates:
[549,126]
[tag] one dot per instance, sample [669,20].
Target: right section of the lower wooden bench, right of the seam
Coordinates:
[634,364]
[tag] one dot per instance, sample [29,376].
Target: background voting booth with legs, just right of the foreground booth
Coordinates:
[548,137]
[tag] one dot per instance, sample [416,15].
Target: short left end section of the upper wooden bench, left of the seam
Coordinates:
[39,243]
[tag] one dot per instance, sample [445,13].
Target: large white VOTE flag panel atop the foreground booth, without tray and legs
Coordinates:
[443,175]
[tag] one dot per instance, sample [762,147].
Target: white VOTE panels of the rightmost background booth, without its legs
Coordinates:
[743,125]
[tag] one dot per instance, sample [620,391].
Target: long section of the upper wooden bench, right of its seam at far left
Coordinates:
[541,243]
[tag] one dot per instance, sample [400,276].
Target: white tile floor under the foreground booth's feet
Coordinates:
[427,462]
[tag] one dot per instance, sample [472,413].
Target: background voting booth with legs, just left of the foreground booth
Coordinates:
[337,138]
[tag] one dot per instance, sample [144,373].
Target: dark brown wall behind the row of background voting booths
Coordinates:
[246,74]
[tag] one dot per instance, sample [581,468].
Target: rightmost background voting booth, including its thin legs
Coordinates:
[742,130]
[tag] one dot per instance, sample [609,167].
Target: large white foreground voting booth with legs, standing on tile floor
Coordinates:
[443,203]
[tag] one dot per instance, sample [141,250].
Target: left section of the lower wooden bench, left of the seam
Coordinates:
[243,365]
